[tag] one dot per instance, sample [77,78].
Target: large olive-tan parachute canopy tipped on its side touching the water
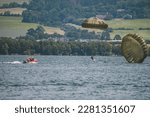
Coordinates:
[134,48]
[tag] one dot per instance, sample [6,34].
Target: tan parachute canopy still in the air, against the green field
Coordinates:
[94,22]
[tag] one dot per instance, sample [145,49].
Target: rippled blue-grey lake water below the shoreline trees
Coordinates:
[74,77]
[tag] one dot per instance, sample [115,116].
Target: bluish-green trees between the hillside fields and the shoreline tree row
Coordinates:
[71,33]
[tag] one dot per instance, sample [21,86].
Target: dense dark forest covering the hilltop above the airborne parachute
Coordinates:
[57,12]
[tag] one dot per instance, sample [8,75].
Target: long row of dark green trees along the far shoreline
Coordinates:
[50,47]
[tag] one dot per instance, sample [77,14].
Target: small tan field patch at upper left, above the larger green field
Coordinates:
[13,10]
